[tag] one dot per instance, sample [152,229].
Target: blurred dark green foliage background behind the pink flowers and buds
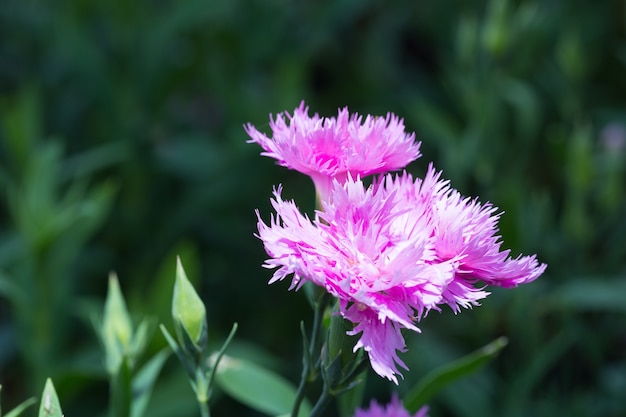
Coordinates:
[121,145]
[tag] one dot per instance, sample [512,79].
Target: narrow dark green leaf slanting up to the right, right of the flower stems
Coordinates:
[439,378]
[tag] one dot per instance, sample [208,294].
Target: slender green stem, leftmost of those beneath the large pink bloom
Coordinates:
[309,372]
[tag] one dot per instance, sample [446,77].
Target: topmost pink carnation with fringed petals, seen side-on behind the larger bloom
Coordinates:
[328,149]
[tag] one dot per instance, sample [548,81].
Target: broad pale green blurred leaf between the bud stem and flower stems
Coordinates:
[257,387]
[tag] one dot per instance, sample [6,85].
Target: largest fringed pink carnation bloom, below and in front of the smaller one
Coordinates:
[390,253]
